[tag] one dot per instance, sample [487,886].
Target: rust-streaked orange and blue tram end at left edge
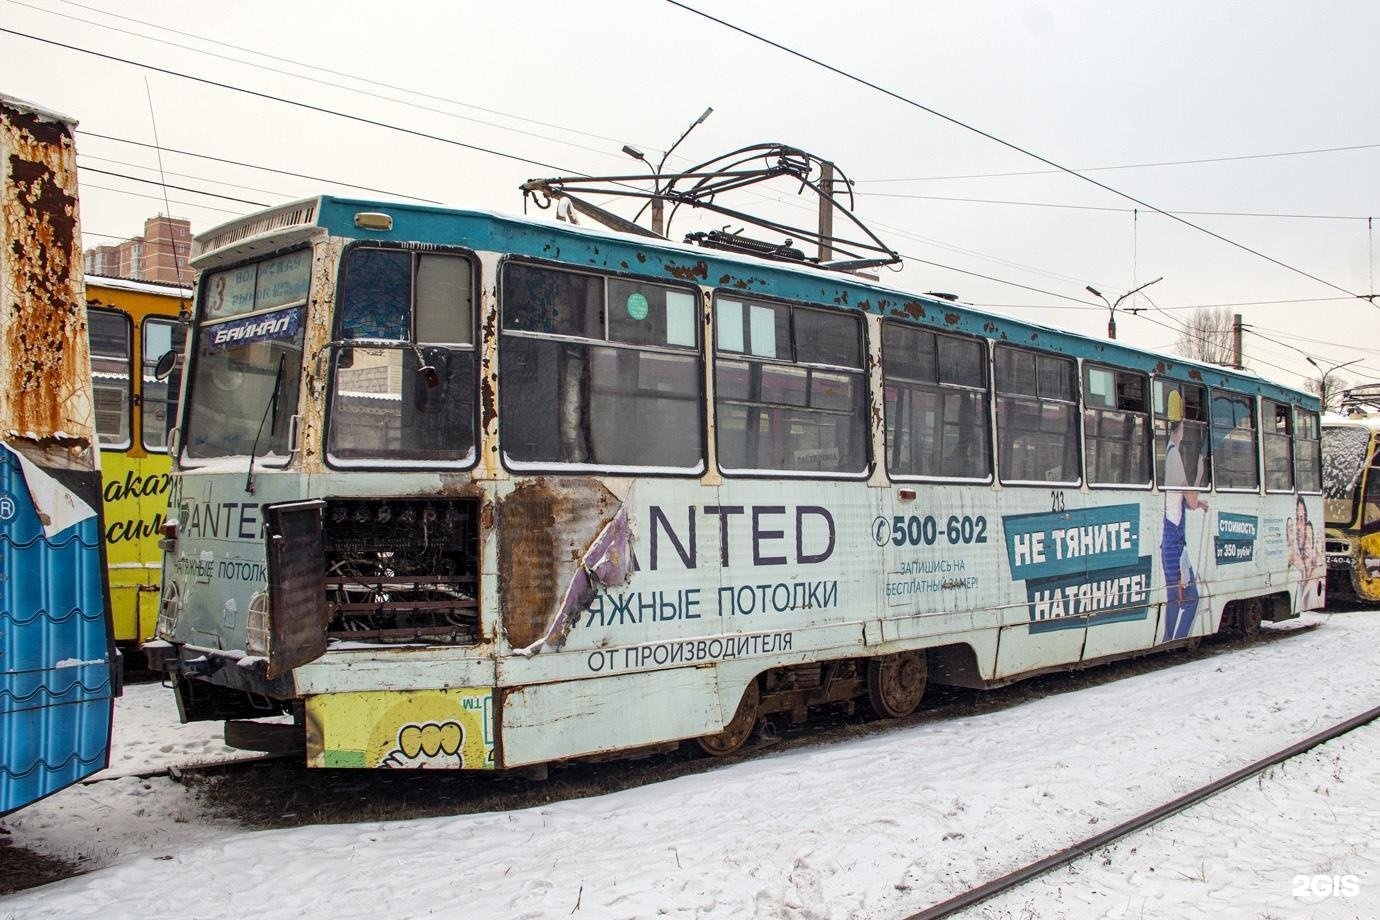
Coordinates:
[59,670]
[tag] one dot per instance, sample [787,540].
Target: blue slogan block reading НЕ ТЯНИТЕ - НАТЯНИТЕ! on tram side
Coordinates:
[1081,568]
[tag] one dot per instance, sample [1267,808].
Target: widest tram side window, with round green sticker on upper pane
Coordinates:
[600,372]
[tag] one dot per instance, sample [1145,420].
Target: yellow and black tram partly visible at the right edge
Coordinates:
[1352,489]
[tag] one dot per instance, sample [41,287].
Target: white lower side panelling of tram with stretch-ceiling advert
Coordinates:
[1029,579]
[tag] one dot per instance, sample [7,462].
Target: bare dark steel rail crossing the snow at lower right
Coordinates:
[1090,846]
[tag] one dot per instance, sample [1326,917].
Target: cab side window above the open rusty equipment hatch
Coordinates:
[406,394]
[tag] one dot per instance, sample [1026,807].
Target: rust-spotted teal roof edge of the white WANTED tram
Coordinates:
[600,249]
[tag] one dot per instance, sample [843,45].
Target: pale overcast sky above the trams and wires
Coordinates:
[1268,89]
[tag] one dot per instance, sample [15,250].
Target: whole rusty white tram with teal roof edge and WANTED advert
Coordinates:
[475,492]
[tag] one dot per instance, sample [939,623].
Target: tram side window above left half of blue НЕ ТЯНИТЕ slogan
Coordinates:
[1037,417]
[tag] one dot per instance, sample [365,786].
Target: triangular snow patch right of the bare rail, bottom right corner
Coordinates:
[1256,848]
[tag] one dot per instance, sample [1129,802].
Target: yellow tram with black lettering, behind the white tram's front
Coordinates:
[132,326]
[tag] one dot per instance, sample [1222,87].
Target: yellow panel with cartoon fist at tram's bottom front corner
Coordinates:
[423,729]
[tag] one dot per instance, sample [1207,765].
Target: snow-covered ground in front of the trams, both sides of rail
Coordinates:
[878,827]
